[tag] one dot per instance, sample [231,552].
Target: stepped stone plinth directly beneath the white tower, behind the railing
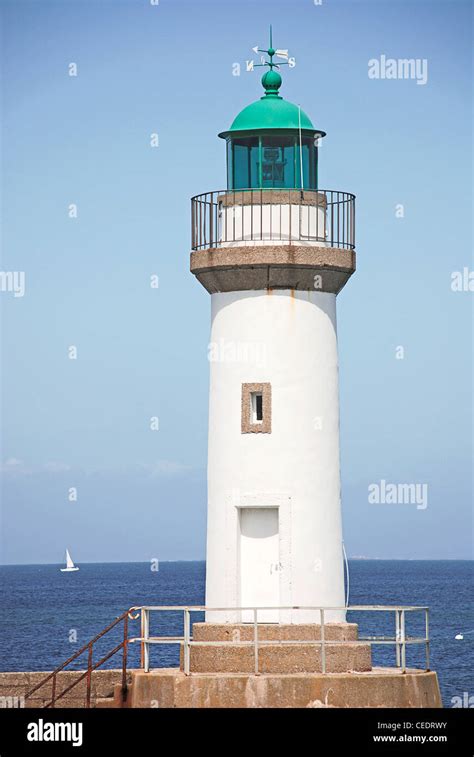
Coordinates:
[280,656]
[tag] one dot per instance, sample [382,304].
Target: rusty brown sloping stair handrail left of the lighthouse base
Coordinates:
[90,665]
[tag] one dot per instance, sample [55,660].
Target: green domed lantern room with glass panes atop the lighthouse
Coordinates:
[272,144]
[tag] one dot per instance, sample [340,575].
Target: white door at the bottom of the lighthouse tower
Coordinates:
[259,562]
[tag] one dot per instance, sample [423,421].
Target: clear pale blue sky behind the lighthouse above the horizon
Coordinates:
[142,352]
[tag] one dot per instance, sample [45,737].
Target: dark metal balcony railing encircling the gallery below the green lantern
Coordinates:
[273,216]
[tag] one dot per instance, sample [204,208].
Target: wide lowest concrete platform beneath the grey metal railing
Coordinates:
[381,687]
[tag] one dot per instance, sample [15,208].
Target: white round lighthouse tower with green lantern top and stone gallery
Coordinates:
[273,250]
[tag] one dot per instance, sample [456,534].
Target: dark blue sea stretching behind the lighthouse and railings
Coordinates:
[46,616]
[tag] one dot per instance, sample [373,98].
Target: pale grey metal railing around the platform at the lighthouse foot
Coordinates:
[399,640]
